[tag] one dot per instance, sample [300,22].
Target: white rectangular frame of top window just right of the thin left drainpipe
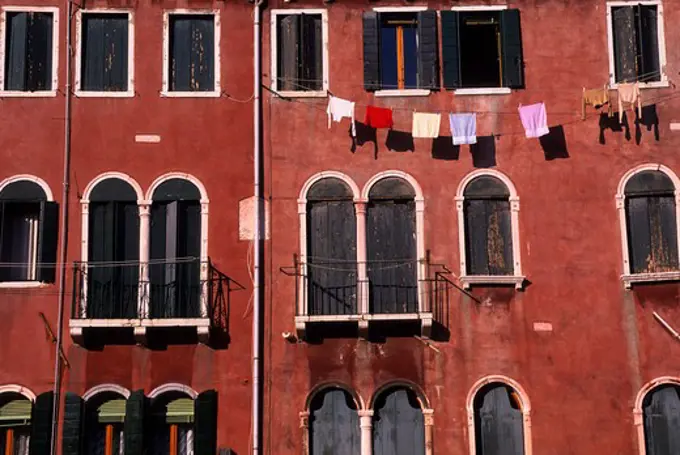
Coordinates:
[130,92]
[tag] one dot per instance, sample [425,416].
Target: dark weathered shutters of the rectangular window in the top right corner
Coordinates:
[636,43]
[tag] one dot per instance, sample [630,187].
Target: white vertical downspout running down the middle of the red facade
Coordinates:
[257,237]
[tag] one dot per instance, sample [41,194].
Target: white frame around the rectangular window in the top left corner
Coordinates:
[55,51]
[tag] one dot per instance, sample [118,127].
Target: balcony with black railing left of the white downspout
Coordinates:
[179,293]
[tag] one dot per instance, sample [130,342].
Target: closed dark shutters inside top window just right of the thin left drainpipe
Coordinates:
[105,47]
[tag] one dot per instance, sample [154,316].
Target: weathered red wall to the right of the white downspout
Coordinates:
[581,378]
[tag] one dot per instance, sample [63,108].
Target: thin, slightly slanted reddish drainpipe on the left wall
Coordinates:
[61,262]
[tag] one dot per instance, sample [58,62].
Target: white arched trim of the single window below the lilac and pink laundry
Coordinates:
[467,280]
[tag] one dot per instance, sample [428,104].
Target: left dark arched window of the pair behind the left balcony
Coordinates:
[113,250]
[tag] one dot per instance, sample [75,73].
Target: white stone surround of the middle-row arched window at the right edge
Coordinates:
[629,278]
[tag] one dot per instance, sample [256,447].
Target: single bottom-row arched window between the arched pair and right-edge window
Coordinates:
[499,427]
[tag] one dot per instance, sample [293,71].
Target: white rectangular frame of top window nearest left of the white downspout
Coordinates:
[165,90]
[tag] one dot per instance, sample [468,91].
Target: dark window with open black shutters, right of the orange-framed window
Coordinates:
[482,49]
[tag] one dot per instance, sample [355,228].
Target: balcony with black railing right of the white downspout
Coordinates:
[399,291]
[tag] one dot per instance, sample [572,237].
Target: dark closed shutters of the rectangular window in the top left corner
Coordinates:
[28,51]
